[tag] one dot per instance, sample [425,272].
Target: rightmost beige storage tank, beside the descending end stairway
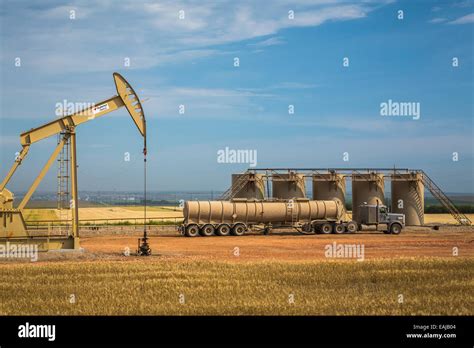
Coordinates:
[408,197]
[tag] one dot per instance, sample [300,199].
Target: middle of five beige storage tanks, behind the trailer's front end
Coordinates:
[330,186]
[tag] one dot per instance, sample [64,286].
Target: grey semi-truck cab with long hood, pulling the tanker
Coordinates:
[377,214]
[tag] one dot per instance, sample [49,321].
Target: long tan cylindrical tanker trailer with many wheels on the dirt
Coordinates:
[237,216]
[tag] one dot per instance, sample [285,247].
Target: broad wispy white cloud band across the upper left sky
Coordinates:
[151,33]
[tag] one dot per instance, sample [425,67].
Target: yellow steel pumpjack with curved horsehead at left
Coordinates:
[13,228]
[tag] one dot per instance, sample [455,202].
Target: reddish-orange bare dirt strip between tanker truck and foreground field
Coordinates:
[293,246]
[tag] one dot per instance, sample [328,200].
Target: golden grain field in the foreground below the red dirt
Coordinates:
[156,286]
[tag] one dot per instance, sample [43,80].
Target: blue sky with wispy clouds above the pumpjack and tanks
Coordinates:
[283,61]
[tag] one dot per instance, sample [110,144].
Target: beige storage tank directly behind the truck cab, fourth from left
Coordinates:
[367,188]
